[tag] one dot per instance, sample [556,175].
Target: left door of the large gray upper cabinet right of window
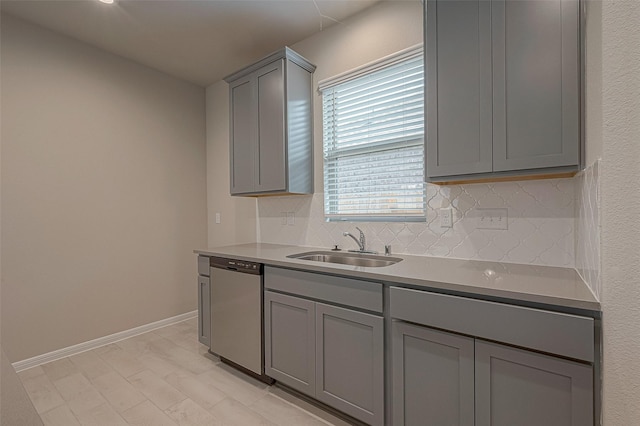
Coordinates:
[458,95]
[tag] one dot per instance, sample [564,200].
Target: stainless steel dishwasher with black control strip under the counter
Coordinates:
[236,314]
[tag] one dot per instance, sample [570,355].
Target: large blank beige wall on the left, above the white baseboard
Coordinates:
[103,192]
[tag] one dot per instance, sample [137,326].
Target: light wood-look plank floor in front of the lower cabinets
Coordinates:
[164,377]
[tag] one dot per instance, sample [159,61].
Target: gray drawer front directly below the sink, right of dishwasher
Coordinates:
[344,291]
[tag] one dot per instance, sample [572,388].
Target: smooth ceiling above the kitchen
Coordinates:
[200,41]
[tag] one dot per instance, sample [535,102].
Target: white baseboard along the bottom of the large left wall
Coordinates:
[101,341]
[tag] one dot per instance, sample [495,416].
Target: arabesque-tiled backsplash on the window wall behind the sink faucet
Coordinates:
[540,224]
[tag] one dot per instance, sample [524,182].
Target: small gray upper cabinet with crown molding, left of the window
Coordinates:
[271,146]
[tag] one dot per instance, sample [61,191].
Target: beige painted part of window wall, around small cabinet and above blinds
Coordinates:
[379,31]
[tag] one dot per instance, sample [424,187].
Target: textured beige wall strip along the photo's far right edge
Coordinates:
[620,239]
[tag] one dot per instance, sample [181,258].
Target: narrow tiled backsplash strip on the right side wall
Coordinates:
[588,227]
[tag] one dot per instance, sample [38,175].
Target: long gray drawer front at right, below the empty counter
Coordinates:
[561,334]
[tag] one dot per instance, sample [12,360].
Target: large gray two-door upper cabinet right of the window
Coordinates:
[503,88]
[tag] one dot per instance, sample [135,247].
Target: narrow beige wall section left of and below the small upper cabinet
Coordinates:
[237,214]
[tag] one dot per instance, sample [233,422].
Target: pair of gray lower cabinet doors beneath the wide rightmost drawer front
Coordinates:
[442,378]
